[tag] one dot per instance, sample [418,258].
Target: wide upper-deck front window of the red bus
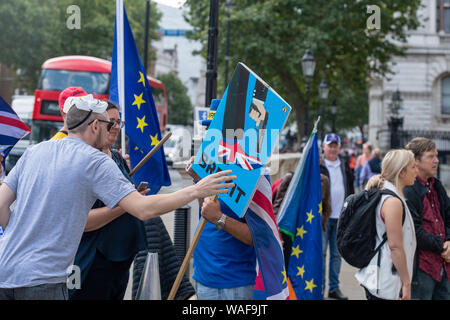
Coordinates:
[58,80]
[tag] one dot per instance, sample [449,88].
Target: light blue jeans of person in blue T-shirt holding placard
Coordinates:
[239,293]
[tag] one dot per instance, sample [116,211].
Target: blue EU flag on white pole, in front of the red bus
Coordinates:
[141,119]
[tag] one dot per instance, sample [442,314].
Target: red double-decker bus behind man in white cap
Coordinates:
[90,73]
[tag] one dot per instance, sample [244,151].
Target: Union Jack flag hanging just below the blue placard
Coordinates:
[271,281]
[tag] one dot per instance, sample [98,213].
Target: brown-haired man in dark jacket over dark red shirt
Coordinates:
[430,207]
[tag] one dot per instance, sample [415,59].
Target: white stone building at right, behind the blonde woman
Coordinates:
[423,79]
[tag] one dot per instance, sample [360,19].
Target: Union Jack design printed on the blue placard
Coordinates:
[235,154]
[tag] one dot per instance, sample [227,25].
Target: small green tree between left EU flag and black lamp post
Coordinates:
[180,107]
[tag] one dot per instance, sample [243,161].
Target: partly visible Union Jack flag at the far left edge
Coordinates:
[12,129]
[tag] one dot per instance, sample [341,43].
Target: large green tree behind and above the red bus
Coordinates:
[34,31]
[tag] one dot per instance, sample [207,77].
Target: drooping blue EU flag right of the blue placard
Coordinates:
[300,217]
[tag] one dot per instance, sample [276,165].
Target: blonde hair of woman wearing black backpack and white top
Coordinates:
[394,162]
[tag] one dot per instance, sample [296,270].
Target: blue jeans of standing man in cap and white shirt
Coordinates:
[329,236]
